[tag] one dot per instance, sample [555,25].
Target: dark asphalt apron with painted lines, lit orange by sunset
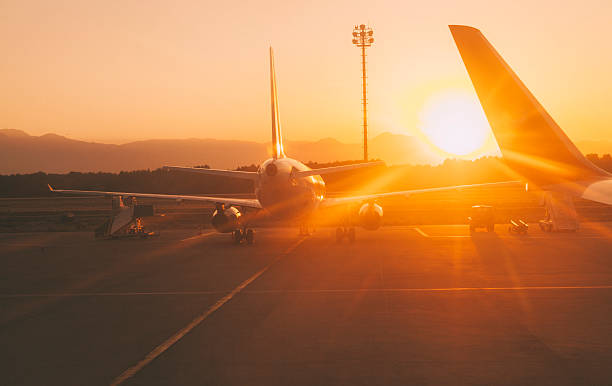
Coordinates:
[420,305]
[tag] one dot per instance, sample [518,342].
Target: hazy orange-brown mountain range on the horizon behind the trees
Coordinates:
[52,153]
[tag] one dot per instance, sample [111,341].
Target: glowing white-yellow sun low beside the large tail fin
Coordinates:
[454,121]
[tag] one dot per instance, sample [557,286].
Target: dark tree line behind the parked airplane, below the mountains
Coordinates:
[375,179]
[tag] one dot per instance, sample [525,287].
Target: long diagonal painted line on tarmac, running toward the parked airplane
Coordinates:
[157,351]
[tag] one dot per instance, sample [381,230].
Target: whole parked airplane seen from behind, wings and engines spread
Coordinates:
[284,188]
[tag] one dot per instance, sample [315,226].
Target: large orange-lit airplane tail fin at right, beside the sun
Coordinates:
[530,140]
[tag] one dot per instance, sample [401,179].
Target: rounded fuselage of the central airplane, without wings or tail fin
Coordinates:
[282,194]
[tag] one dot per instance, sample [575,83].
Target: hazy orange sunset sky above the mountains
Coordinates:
[122,70]
